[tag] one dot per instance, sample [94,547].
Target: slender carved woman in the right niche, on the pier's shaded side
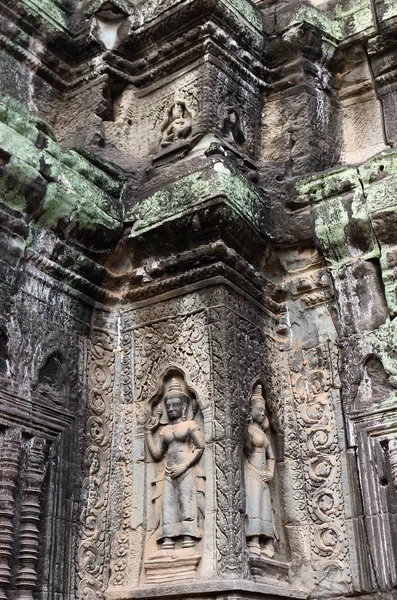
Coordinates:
[259,472]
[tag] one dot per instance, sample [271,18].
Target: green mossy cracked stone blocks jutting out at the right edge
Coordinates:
[354,213]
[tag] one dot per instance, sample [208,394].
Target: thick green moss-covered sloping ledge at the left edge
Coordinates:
[76,196]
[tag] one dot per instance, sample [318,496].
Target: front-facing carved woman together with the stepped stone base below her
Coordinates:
[178,488]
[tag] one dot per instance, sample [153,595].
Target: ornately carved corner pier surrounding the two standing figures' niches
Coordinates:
[216,338]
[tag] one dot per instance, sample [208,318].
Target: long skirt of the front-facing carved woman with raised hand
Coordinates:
[180,505]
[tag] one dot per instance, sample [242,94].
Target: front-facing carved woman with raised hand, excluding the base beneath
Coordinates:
[181,486]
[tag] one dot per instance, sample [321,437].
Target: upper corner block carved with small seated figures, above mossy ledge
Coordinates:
[175,115]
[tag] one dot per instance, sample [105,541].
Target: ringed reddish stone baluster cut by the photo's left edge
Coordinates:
[10,447]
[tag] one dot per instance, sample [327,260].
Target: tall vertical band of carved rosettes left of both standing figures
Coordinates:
[92,550]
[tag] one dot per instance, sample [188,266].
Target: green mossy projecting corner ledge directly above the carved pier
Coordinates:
[213,202]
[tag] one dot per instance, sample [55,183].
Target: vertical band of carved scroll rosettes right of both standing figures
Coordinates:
[320,455]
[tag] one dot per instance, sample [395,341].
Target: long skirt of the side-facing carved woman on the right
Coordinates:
[259,521]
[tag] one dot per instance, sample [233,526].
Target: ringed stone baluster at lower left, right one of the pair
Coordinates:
[29,518]
